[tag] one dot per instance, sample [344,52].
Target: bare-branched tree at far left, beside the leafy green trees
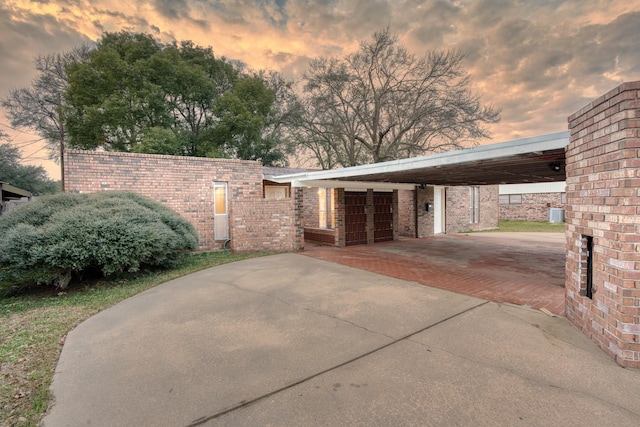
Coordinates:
[40,106]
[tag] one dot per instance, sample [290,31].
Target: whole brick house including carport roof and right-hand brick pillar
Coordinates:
[233,202]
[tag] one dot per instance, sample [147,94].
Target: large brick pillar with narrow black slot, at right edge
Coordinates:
[603,219]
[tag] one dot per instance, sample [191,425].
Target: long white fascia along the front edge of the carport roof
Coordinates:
[482,152]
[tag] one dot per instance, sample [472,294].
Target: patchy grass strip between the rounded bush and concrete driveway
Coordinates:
[33,328]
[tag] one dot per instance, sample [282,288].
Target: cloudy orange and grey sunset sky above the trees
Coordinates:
[539,61]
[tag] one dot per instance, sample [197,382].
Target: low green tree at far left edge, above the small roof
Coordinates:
[26,177]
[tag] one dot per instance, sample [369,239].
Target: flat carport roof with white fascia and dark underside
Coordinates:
[535,159]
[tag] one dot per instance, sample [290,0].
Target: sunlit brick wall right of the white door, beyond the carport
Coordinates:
[458,211]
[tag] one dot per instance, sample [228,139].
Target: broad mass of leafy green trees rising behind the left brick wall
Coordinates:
[136,94]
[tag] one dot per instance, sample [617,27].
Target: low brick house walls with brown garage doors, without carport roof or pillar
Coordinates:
[241,204]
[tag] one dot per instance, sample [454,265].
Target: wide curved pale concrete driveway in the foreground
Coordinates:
[288,340]
